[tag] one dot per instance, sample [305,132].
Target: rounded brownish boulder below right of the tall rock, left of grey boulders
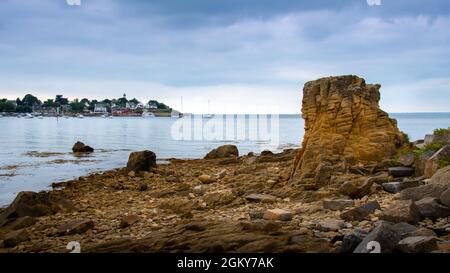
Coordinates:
[402,211]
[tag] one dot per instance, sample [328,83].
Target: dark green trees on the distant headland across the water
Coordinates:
[30,103]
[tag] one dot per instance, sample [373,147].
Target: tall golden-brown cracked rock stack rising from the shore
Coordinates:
[344,126]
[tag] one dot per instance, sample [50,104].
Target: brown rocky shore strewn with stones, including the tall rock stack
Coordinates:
[357,179]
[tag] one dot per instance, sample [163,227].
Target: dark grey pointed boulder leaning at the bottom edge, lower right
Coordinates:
[384,234]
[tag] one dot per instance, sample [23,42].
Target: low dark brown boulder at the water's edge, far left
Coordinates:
[35,205]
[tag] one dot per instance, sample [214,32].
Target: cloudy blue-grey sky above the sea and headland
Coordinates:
[244,56]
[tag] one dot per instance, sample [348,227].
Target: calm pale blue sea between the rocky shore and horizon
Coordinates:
[36,152]
